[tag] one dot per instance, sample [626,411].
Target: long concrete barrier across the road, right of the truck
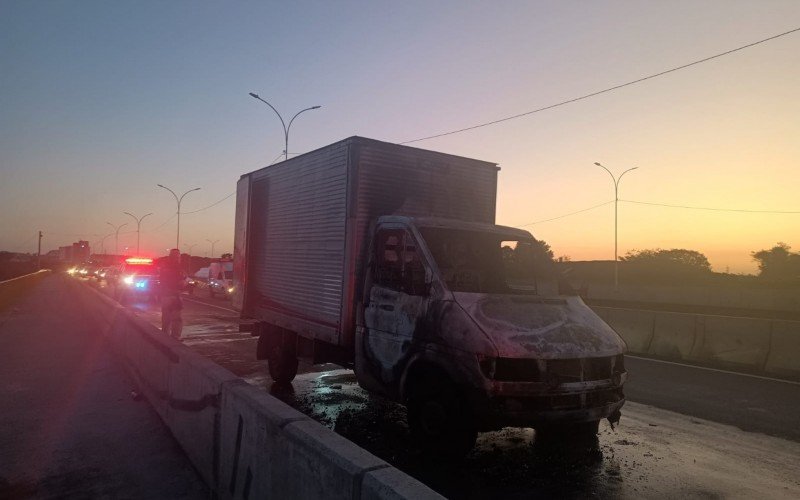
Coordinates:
[752,344]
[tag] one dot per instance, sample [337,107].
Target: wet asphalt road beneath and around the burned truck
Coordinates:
[685,432]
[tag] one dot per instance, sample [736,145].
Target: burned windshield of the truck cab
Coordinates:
[481,262]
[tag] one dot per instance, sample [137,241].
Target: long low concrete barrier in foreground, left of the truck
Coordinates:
[243,442]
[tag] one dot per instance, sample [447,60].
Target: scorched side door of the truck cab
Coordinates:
[398,299]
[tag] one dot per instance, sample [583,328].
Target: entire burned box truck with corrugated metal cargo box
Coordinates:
[386,259]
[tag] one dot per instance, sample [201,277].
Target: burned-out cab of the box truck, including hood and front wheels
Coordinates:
[463,323]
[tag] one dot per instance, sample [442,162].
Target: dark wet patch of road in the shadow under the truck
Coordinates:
[510,463]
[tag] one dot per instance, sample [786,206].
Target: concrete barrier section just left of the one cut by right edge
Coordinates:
[732,341]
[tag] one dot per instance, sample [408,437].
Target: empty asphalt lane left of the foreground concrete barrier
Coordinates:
[70,426]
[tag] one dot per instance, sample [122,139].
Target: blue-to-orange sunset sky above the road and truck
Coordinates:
[101,101]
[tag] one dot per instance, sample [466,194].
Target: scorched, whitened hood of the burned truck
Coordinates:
[543,328]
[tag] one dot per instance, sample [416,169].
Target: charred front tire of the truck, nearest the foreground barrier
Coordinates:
[440,420]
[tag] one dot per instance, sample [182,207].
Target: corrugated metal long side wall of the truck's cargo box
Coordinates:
[298,238]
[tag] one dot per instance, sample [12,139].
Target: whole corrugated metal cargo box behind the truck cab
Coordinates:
[309,217]
